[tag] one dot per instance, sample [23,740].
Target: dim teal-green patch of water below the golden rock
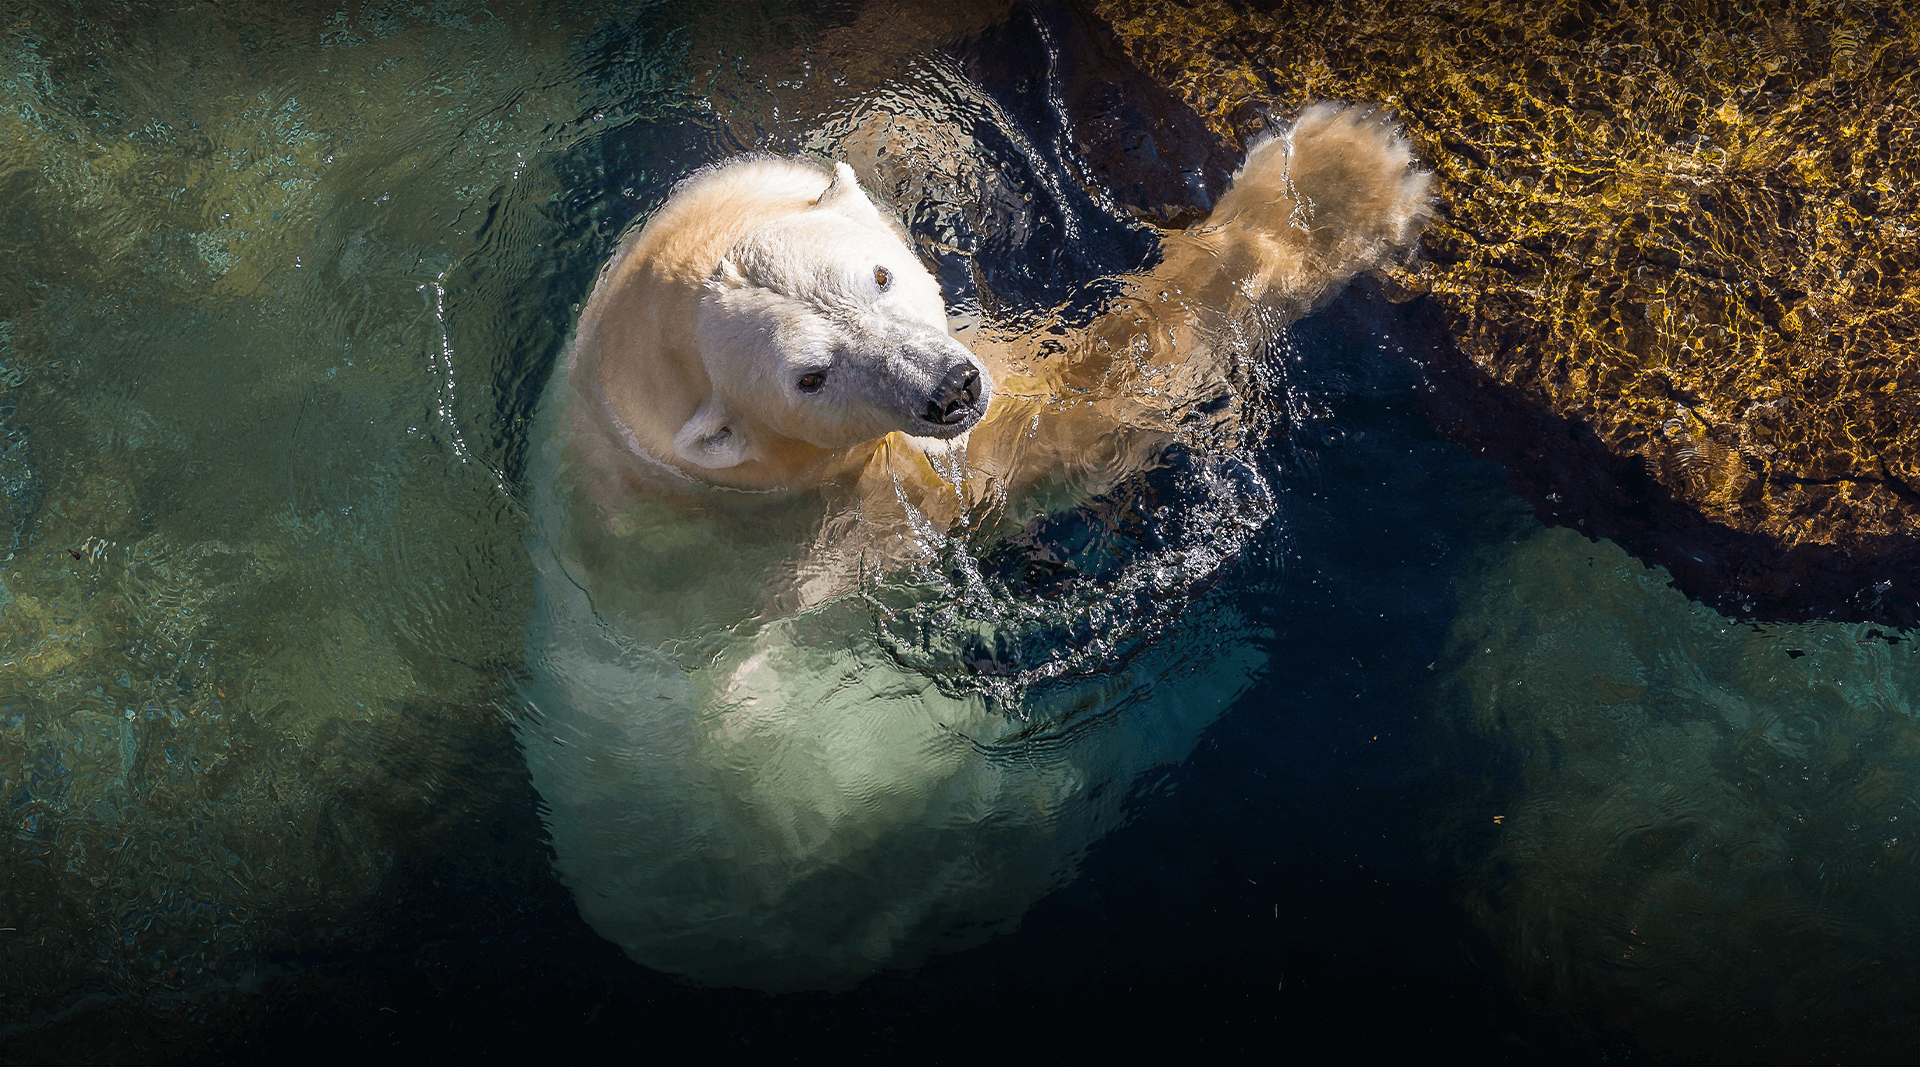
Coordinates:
[1716,824]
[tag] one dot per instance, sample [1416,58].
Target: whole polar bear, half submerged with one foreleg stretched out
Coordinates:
[746,782]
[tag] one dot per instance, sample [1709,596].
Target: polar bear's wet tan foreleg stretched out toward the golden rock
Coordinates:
[1328,199]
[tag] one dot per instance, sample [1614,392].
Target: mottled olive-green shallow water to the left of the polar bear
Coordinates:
[256,310]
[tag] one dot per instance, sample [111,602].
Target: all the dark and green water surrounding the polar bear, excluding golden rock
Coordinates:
[277,302]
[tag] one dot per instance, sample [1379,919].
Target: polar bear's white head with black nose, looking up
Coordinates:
[823,327]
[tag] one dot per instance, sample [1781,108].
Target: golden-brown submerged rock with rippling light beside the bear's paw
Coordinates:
[1671,260]
